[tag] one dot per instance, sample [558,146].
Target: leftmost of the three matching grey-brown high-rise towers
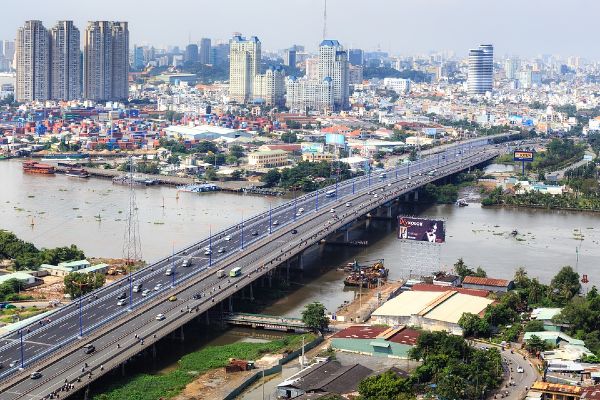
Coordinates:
[32,62]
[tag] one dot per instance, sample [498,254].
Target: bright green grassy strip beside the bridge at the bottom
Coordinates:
[152,387]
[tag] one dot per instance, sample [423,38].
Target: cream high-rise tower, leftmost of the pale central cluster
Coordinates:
[244,65]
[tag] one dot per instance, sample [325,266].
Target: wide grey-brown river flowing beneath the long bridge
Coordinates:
[64,210]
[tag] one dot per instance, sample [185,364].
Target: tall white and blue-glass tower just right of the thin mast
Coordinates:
[333,63]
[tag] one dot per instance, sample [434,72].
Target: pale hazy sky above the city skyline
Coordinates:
[521,27]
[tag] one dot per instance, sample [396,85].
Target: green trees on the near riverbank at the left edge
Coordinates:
[26,256]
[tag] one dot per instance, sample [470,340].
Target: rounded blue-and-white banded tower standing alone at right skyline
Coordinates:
[480,78]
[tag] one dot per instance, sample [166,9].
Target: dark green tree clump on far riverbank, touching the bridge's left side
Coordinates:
[307,176]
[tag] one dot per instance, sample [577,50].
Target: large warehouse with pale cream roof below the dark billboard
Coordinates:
[432,311]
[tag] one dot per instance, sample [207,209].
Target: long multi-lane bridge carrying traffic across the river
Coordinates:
[179,292]
